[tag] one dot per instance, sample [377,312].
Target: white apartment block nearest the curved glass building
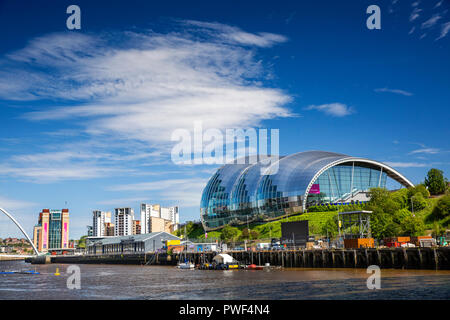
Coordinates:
[155,210]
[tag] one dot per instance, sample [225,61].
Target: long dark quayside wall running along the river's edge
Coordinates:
[397,258]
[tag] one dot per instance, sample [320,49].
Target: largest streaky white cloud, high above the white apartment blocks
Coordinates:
[146,85]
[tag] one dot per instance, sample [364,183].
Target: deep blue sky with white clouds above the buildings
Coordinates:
[87,115]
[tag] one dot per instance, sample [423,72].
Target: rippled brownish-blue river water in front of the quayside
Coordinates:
[162,282]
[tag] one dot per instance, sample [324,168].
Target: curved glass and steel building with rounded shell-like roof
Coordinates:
[238,193]
